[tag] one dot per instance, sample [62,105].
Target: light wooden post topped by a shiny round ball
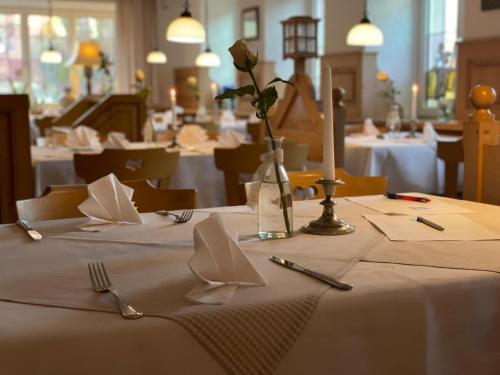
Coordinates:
[482,149]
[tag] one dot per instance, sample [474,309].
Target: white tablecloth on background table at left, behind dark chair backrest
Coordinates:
[196,170]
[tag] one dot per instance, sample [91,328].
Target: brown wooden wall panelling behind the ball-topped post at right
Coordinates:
[478,63]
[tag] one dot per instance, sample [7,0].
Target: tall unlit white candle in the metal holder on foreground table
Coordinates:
[328,152]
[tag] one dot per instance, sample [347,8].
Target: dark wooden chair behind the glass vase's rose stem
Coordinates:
[246,159]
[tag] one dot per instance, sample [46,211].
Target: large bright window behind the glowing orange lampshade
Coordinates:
[24,35]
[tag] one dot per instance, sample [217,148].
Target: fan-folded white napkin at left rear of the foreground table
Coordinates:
[109,202]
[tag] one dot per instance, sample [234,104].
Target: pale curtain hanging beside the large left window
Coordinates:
[135,31]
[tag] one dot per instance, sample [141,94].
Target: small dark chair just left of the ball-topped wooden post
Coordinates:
[452,153]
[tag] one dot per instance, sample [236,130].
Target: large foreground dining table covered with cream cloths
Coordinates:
[416,307]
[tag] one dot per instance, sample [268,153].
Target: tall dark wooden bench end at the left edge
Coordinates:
[16,171]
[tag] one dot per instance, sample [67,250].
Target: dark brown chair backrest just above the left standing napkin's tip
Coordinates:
[128,165]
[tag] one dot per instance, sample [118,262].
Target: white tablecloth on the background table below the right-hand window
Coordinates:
[409,164]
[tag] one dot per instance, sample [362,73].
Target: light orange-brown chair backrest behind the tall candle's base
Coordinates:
[304,184]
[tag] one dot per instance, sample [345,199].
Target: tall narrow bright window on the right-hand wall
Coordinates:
[440,54]
